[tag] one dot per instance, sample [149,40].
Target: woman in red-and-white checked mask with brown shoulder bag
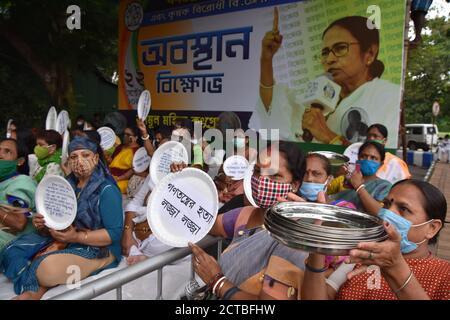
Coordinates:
[255,266]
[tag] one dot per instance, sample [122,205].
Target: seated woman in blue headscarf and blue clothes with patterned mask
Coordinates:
[93,241]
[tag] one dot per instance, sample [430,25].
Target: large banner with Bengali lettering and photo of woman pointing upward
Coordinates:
[319,71]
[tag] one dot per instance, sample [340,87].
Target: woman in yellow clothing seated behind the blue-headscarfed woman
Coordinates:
[121,165]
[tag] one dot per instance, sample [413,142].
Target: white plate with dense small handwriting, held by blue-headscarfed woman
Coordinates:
[56,201]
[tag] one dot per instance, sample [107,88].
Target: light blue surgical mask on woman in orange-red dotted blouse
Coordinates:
[402,225]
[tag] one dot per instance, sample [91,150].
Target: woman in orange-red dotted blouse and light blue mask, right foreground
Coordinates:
[414,213]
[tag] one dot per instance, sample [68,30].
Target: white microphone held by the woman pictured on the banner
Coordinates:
[322,93]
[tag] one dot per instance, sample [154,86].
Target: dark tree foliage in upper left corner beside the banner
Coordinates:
[35,33]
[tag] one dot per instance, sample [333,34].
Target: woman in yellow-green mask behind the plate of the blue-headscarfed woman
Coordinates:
[48,154]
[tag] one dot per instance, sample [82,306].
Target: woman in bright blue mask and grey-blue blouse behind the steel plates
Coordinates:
[368,191]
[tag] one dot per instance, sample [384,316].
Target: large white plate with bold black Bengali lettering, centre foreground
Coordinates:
[178,212]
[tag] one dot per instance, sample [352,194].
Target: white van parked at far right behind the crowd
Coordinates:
[421,136]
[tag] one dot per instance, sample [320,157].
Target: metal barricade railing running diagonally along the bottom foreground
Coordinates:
[116,280]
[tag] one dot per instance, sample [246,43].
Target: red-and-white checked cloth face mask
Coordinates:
[265,191]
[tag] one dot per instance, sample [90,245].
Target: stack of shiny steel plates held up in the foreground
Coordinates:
[322,228]
